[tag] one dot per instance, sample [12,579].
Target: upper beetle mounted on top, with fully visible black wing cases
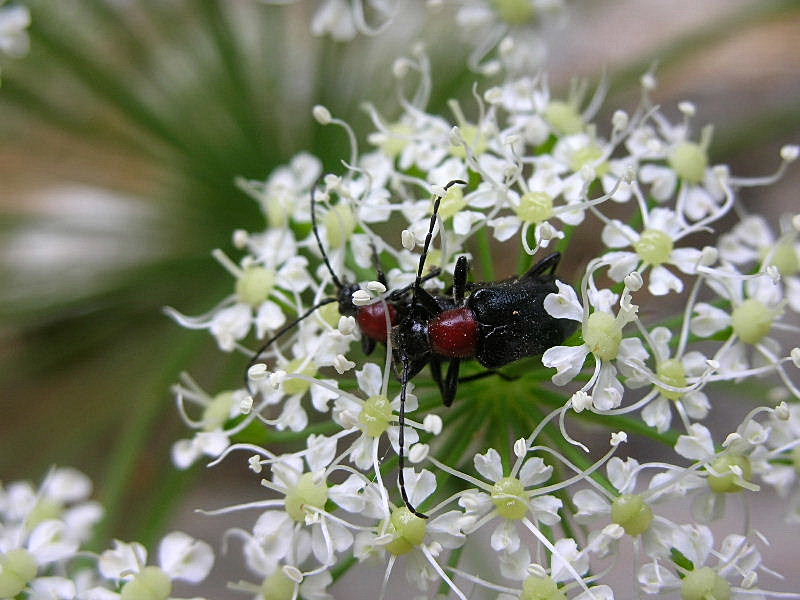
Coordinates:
[498,323]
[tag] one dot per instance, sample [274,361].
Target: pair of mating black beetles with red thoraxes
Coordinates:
[496,323]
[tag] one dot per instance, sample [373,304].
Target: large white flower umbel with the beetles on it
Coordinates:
[538,168]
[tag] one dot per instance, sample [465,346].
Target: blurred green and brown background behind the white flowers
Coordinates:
[121,134]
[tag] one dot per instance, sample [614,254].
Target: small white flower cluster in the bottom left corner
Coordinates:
[42,534]
